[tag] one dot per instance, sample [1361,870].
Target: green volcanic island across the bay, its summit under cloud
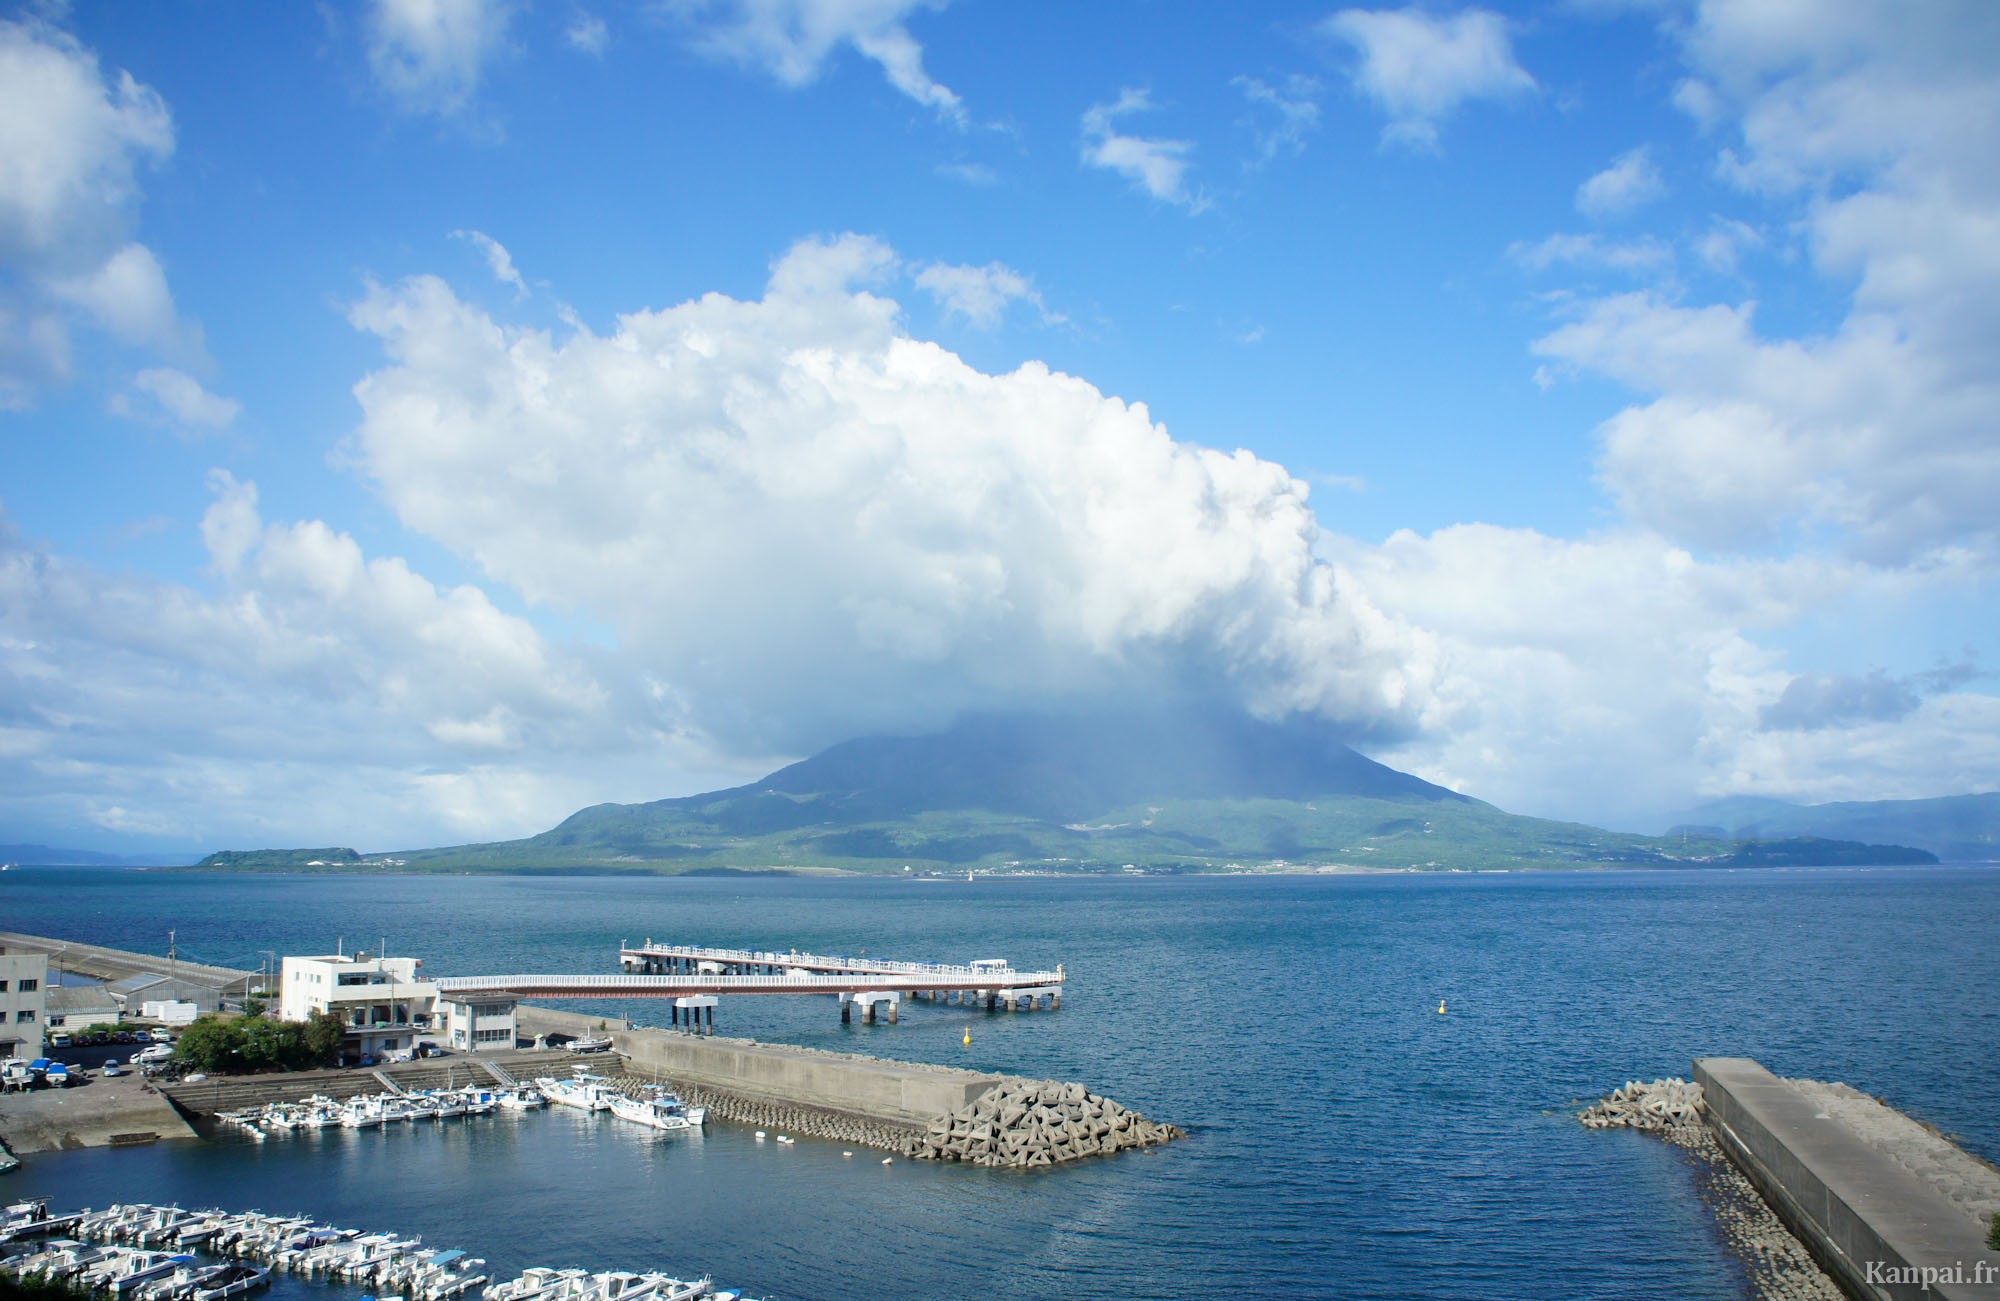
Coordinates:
[1187,792]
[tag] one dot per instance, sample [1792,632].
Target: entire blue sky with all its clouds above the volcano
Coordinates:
[425,417]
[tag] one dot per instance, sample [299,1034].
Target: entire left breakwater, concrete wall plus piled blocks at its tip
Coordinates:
[915,1110]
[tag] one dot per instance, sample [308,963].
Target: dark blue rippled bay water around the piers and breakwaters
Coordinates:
[1345,1138]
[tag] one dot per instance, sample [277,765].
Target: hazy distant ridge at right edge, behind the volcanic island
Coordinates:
[1959,828]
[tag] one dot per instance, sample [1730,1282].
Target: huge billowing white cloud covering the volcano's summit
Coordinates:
[811,525]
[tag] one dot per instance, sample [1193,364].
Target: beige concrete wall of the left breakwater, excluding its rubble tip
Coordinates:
[869,1088]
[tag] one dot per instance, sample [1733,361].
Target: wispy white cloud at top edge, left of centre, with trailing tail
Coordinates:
[793,41]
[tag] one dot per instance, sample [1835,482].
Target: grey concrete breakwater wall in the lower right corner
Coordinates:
[1867,1220]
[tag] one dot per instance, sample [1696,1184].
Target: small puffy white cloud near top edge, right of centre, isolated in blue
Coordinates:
[1421,67]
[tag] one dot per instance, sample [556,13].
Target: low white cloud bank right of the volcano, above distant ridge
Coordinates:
[1609,680]
